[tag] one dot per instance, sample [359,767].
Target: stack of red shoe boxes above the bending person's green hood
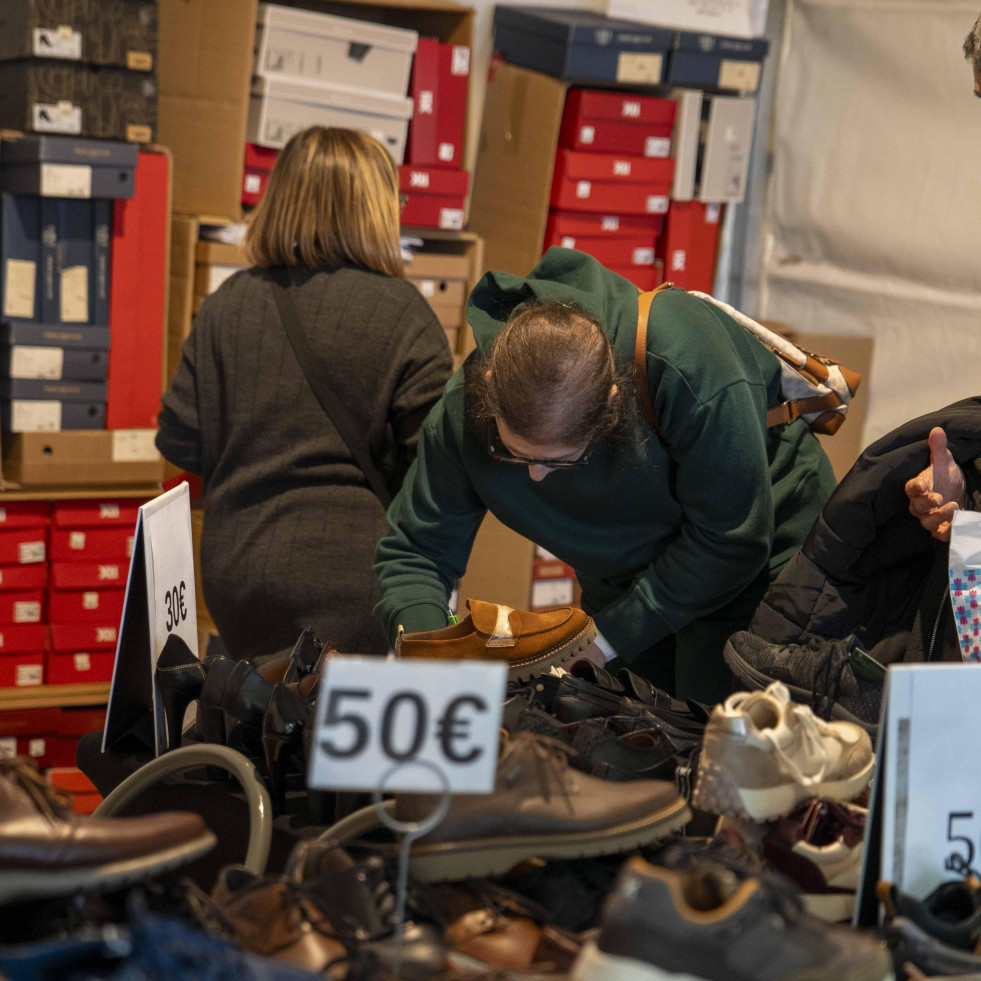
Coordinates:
[612,179]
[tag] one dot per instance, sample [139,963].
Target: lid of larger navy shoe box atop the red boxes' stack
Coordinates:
[583,27]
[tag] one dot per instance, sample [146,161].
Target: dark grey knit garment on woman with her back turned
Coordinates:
[291,522]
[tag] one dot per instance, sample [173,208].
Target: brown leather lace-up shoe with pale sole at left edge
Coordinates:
[46,850]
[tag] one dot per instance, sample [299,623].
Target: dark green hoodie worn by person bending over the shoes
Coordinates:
[661,530]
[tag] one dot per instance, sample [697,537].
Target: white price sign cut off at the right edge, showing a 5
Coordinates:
[931,803]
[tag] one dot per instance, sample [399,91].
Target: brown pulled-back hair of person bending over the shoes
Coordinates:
[551,371]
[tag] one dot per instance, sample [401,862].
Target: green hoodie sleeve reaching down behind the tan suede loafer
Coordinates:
[432,524]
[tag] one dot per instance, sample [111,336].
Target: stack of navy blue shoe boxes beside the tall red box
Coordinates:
[56,220]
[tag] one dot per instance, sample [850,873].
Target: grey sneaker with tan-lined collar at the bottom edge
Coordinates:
[708,924]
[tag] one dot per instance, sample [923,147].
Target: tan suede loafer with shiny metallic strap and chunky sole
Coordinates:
[530,643]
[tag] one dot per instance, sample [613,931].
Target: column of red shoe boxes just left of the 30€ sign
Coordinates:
[91,545]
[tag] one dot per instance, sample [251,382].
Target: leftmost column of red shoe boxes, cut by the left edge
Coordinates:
[23,578]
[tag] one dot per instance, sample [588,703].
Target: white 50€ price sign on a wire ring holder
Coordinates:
[374,715]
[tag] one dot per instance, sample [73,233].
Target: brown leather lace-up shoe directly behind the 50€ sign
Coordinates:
[542,808]
